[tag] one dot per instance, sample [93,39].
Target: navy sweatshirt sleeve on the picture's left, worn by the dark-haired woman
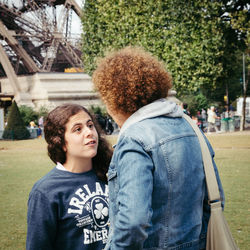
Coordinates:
[41,220]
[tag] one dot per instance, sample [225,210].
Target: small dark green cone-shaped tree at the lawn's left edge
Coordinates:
[15,128]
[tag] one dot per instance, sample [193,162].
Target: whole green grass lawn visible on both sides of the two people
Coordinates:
[22,163]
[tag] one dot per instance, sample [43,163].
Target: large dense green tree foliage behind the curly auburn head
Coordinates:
[198,46]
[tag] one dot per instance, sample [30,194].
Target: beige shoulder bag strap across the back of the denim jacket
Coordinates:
[212,185]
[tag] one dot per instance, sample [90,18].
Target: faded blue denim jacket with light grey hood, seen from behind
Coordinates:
[157,189]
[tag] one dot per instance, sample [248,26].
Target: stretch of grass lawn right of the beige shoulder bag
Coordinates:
[232,156]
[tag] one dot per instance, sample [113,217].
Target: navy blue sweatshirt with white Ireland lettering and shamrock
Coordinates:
[68,211]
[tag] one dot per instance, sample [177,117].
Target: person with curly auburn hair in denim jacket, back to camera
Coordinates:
[157,190]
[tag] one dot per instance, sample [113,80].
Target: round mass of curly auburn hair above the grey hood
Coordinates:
[130,78]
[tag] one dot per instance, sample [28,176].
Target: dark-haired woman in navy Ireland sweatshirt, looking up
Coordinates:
[68,207]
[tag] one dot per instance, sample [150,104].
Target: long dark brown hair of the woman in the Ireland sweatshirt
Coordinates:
[54,130]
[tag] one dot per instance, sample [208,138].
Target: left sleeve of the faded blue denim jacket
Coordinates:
[135,180]
